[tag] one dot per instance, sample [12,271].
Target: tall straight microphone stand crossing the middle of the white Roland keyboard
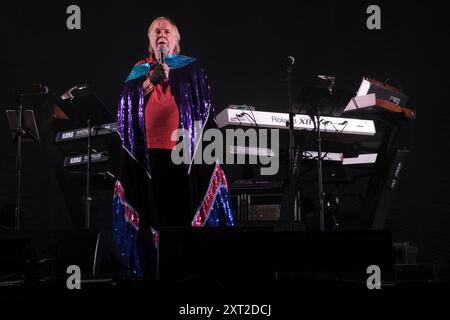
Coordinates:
[295,204]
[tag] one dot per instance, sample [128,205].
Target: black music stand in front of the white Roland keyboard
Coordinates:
[317,102]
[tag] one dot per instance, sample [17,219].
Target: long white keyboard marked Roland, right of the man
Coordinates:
[278,120]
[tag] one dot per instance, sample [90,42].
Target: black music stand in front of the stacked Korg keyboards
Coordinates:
[83,107]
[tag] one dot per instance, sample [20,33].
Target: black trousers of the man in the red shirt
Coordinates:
[170,190]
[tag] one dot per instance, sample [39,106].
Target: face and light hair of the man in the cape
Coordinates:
[162,34]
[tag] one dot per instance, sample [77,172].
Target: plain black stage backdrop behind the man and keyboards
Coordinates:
[243,48]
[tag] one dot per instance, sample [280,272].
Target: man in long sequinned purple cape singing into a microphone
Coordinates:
[163,93]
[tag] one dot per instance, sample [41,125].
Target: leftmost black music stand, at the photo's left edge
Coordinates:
[22,125]
